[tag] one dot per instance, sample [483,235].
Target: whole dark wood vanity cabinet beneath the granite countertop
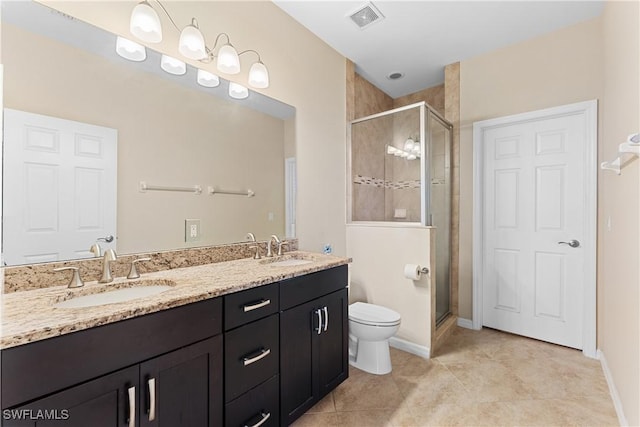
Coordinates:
[284,347]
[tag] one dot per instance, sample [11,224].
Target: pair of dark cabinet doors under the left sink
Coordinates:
[181,388]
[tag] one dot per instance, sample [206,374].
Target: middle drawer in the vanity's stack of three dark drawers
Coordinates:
[251,355]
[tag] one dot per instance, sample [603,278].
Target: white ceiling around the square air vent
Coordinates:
[418,38]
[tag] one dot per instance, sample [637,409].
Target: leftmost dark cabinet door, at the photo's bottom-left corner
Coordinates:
[103,402]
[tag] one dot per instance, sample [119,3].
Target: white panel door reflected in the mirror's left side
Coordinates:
[59,188]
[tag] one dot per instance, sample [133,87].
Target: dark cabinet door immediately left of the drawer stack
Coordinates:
[184,387]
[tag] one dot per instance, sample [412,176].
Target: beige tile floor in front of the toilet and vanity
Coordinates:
[478,378]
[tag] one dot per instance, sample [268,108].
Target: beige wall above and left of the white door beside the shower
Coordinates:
[555,69]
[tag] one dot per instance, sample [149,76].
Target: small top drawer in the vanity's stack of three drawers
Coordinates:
[252,304]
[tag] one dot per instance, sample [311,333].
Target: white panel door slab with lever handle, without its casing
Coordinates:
[534,198]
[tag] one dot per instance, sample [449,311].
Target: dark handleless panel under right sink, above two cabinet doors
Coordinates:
[298,290]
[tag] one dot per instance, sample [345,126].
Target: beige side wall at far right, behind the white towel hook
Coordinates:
[619,200]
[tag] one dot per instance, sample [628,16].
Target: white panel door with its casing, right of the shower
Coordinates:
[535,186]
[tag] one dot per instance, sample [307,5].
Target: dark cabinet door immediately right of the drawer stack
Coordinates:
[299,387]
